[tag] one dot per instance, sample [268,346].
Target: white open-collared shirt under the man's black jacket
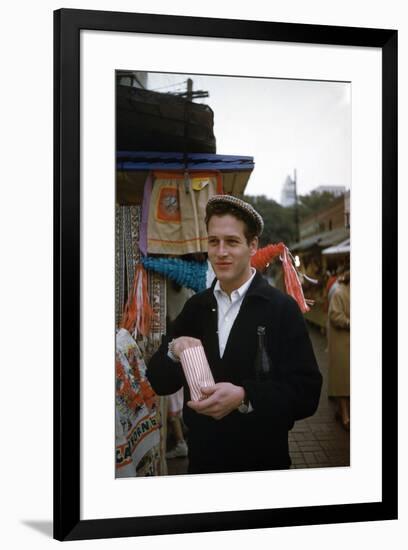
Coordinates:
[228,309]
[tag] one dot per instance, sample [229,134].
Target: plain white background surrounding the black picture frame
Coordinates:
[26,289]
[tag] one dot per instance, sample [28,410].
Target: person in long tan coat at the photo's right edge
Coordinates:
[339,349]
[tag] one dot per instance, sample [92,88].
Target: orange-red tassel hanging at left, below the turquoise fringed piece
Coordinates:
[137,315]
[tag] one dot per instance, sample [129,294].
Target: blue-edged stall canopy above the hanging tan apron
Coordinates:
[133,167]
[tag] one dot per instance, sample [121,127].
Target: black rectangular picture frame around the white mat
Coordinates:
[67,292]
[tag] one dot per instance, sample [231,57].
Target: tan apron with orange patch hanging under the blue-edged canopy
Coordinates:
[176,223]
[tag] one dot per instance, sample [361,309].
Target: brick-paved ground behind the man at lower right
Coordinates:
[315,442]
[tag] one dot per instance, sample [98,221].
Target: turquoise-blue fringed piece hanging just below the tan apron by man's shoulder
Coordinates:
[190,274]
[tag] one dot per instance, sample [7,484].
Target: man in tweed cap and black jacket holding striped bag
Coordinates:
[242,424]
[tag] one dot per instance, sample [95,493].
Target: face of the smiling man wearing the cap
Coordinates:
[229,252]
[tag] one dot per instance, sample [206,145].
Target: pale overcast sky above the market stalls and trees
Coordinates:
[286,125]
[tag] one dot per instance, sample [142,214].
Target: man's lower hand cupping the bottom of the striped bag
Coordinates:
[220,400]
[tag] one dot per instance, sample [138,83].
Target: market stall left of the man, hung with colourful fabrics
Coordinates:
[160,237]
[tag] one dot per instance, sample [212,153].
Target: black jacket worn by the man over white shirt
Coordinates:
[257,440]
